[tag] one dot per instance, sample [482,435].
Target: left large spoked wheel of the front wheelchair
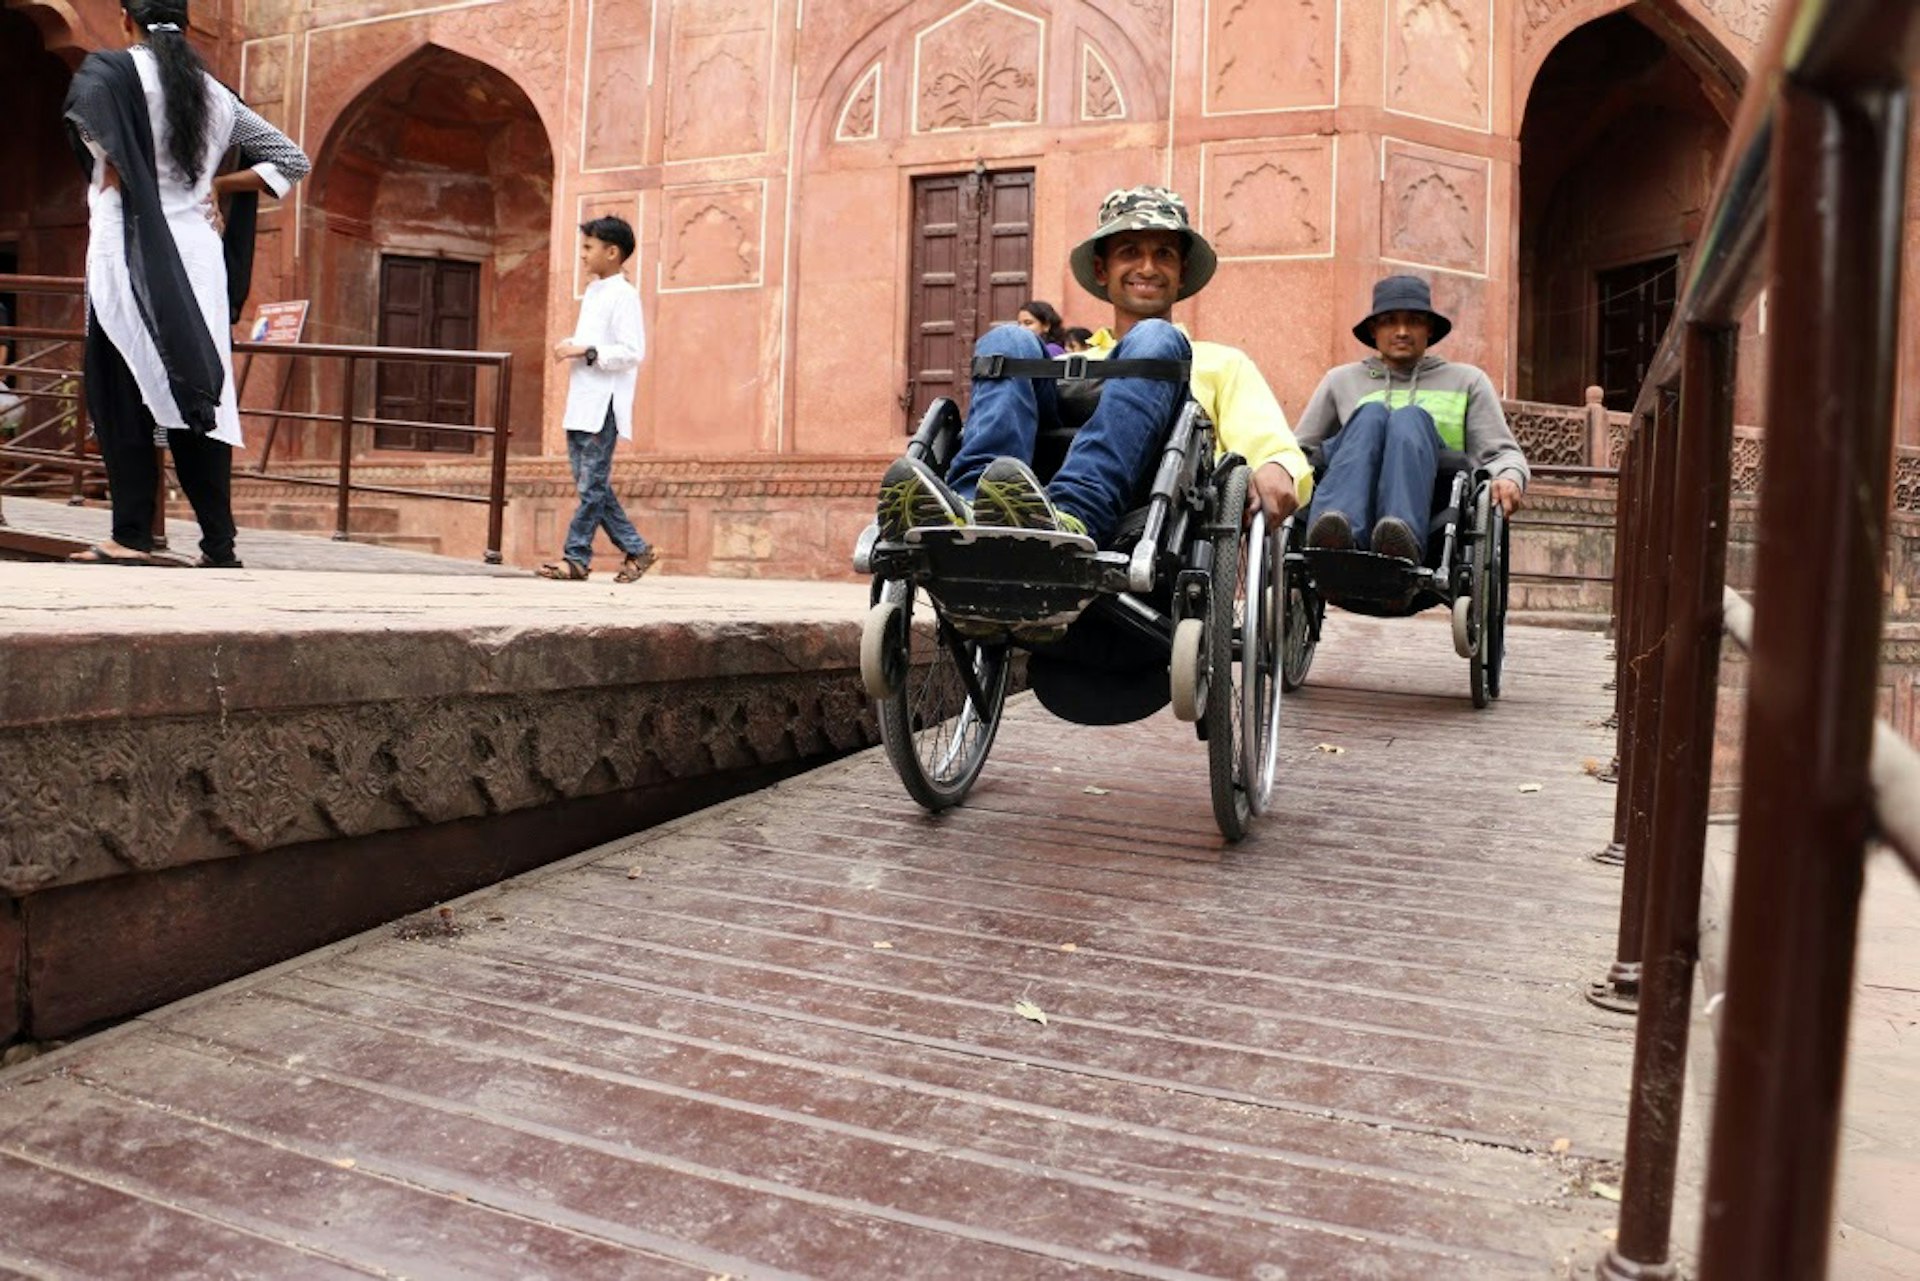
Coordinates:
[946,698]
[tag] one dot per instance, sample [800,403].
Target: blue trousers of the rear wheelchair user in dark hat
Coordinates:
[1381,464]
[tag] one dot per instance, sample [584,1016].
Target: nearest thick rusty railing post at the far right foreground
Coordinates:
[1806,798]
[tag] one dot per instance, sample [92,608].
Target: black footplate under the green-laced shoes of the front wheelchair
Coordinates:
[1005,577]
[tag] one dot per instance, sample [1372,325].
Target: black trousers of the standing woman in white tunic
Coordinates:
[126,433]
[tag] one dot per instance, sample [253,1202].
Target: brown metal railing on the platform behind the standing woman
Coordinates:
[76,460]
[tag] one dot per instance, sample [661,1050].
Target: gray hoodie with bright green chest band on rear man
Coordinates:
[1460,399]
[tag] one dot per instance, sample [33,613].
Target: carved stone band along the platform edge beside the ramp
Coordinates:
[101,800]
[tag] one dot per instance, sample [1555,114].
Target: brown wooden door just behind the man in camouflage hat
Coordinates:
[972,270]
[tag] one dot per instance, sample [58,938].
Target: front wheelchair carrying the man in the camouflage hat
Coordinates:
[1189,596]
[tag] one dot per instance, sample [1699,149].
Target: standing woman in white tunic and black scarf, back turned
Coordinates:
[133,389]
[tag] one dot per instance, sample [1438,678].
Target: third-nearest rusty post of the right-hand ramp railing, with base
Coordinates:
[1641,687]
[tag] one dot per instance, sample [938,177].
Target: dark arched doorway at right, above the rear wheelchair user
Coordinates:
[1620,151]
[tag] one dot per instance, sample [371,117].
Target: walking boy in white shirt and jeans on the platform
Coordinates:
[606,350]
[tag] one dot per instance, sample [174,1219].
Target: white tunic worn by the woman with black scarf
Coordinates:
[185,206]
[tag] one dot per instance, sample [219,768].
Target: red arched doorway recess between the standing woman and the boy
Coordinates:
[429,226]
